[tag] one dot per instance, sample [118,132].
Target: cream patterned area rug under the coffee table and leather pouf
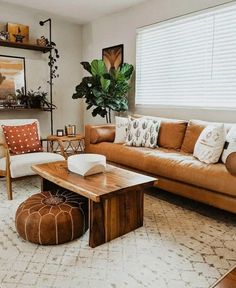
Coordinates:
[182,244]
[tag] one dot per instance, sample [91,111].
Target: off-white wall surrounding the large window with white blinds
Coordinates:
[121,28]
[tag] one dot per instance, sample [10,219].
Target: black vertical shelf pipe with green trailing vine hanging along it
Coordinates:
[52,62]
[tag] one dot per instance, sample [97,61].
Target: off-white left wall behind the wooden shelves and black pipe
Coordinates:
[68,38]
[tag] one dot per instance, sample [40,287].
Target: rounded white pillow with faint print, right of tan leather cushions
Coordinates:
[210,144]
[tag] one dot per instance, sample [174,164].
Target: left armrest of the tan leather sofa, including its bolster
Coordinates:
[99,133]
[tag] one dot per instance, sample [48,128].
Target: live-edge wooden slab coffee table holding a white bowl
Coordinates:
[115,197]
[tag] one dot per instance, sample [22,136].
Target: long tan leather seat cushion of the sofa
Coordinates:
[170,164]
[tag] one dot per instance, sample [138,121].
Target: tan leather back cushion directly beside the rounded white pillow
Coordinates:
[193,131]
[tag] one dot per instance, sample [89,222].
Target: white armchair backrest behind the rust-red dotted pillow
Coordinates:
[14,122]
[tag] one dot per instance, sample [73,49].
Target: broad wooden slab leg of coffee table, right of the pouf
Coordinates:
[115,216]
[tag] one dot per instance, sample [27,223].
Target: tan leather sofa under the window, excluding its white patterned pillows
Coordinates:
[172,162]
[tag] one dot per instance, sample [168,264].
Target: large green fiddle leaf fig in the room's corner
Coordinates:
[106,90]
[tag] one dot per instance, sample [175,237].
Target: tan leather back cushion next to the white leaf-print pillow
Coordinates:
[171,134]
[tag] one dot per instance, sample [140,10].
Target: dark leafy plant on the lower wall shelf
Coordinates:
[34,99]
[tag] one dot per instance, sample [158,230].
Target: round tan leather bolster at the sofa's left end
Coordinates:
[103,133]
